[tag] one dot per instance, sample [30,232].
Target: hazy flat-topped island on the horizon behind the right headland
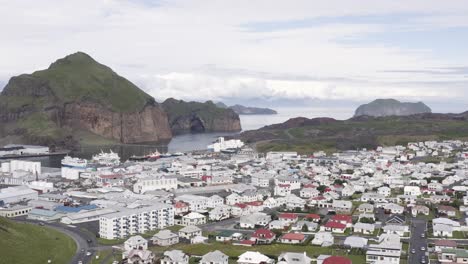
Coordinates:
[391,107]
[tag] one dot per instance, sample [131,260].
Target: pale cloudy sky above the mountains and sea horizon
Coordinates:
[268,53]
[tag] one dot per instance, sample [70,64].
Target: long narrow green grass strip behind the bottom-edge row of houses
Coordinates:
[273,250]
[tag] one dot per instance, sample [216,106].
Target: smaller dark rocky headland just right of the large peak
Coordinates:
[195,117]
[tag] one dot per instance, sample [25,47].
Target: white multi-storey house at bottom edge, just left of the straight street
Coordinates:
[388,250]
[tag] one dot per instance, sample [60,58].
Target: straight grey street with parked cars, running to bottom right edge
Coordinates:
[418,228]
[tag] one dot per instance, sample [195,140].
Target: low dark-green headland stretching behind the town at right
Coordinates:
[358,133]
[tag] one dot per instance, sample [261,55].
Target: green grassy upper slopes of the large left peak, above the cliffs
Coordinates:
[74,78]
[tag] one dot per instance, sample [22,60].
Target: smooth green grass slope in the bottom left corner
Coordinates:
[28,243]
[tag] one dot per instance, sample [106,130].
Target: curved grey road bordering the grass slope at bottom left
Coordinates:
[80,237]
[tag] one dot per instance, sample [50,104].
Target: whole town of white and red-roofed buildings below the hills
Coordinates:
[399,204]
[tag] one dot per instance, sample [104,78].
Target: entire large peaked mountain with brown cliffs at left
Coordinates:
[55,105]
